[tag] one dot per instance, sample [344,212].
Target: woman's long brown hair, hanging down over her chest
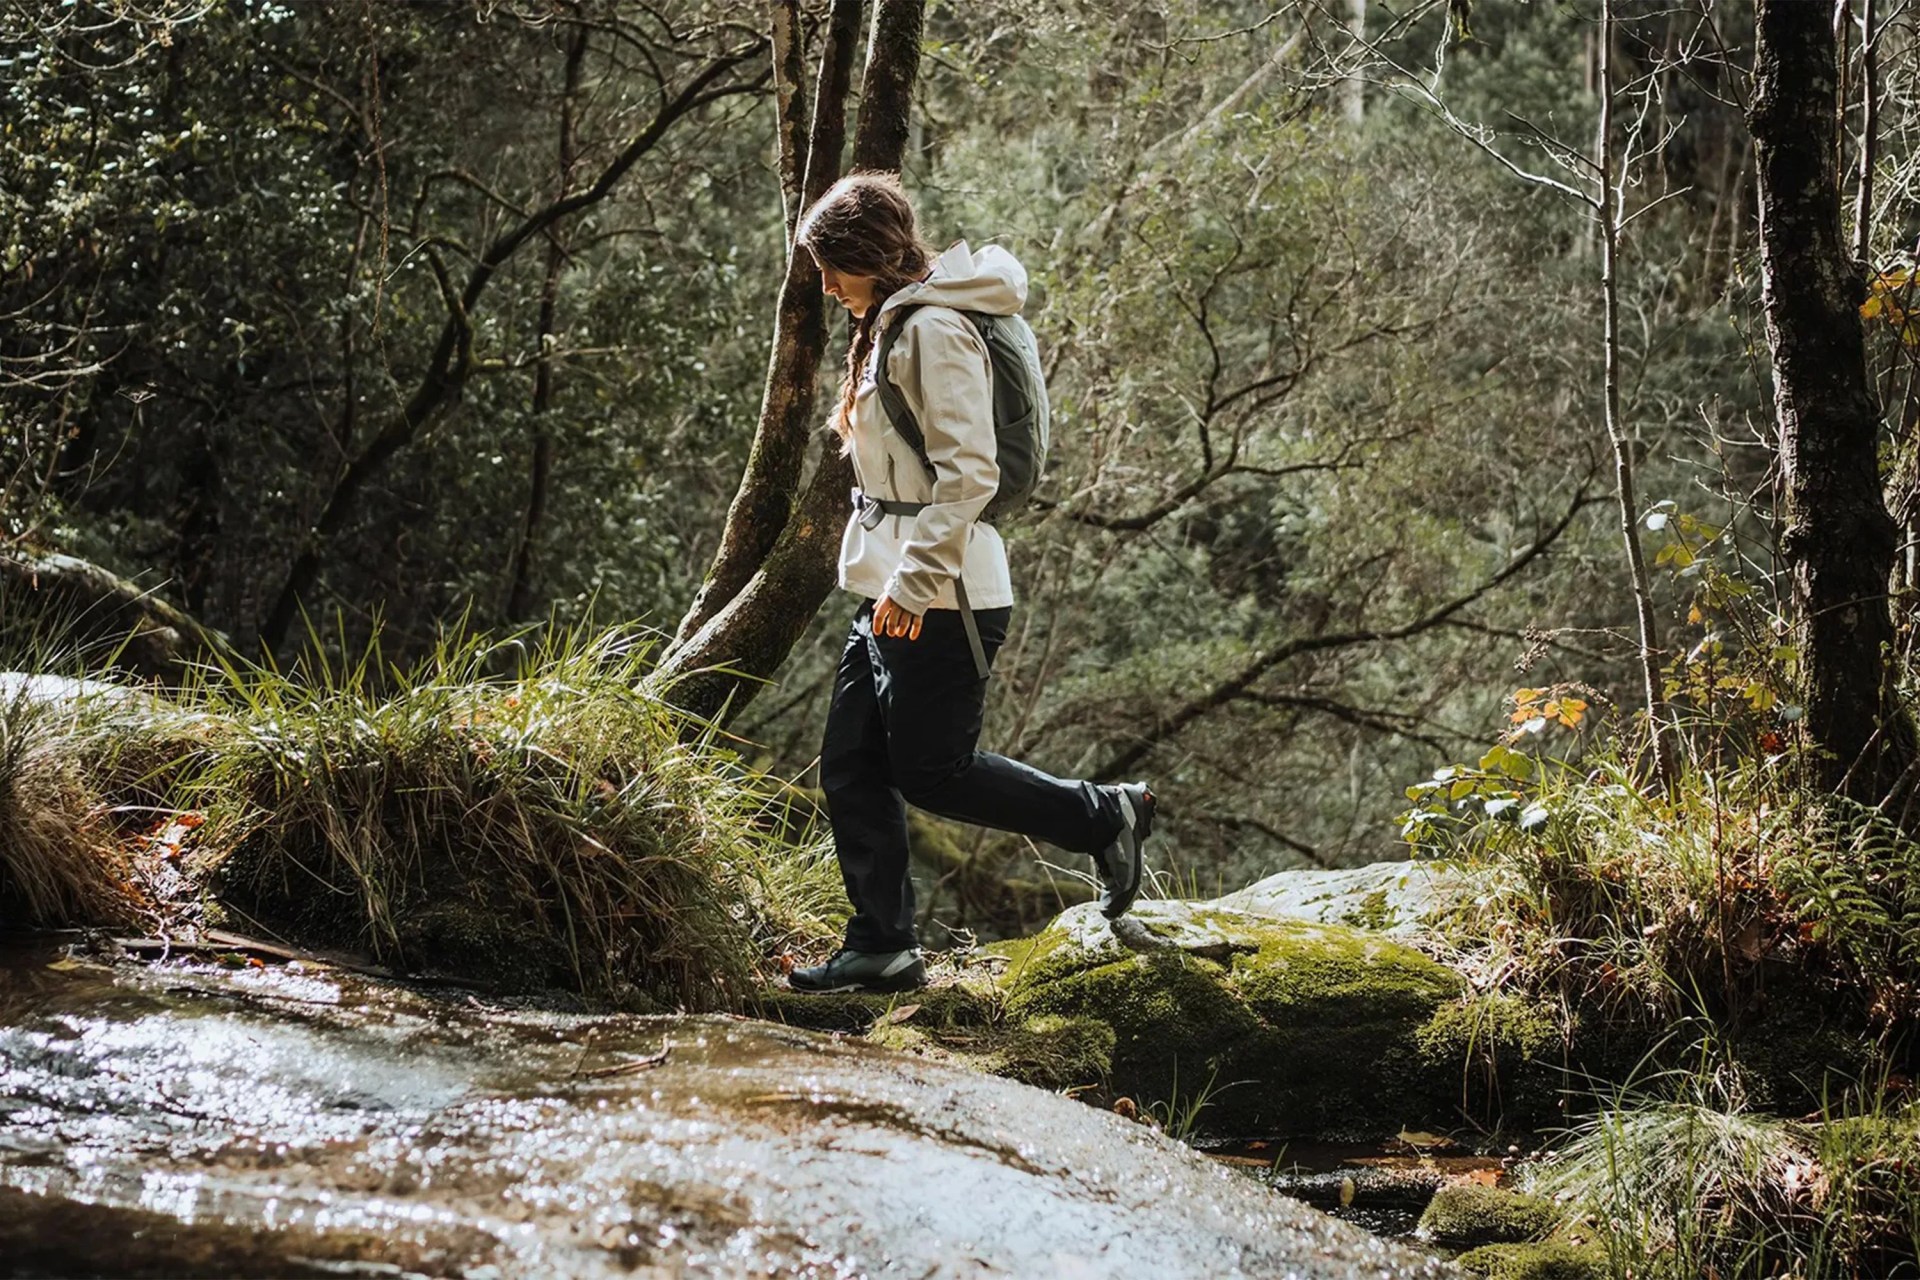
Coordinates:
[865,227]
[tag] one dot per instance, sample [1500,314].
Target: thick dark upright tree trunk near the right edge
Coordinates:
[1838,536]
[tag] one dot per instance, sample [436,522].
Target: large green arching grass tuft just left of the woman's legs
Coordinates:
[529,828]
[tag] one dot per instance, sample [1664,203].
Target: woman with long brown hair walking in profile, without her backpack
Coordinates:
[911,682]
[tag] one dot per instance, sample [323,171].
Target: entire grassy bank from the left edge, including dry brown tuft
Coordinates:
[525,815]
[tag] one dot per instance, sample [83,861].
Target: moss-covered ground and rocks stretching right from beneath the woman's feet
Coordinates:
[1299,1031]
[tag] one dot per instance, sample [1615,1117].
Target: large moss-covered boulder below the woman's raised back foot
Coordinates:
[1284,1028]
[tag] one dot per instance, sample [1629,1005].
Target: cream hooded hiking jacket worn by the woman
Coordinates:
[942,367]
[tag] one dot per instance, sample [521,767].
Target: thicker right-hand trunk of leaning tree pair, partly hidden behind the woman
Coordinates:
[757,628]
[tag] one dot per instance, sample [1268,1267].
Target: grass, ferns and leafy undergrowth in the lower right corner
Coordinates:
[1762,934]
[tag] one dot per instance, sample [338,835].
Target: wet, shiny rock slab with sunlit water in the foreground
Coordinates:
[299,1122]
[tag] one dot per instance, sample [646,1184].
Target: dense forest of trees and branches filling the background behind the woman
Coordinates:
[345,320]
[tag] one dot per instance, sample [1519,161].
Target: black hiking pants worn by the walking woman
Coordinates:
[903,730]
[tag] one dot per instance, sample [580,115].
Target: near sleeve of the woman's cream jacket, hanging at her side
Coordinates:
[944,373]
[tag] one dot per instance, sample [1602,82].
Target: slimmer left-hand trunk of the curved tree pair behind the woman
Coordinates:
[765,498]
